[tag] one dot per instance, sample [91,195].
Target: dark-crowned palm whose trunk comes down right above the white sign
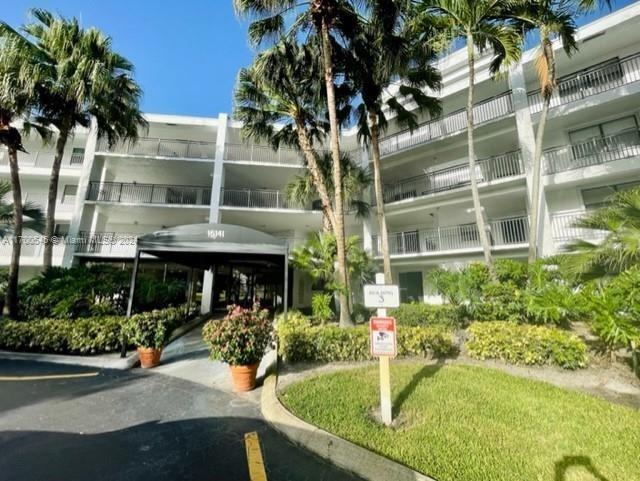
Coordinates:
[384,52]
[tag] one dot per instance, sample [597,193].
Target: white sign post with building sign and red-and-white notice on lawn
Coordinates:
[382,331]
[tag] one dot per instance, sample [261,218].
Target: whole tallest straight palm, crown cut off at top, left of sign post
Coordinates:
[324,18]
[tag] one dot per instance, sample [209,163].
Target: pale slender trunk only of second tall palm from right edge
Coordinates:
[477,207]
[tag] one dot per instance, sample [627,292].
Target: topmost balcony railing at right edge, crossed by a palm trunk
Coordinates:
[594,80]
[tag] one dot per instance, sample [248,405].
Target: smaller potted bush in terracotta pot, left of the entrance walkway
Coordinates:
[148,331]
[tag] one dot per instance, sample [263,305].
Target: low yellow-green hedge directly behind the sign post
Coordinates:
[299,340]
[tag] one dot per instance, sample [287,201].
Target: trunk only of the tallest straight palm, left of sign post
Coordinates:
[338,227]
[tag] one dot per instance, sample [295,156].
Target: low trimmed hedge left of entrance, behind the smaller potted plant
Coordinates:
[91,335]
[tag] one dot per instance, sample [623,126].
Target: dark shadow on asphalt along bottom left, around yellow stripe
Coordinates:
[196,449]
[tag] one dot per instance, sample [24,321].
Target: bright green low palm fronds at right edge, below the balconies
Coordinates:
[618,224]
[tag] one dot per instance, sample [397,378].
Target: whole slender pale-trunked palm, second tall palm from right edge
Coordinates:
[482,25]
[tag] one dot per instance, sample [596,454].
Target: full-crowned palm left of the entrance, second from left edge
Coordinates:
[78,76]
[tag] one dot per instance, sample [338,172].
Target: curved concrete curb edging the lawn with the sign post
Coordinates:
[340,452]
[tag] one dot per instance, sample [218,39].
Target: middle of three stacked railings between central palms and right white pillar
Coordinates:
[487,170]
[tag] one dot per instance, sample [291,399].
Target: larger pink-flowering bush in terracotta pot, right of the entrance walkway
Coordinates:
[240,340]
